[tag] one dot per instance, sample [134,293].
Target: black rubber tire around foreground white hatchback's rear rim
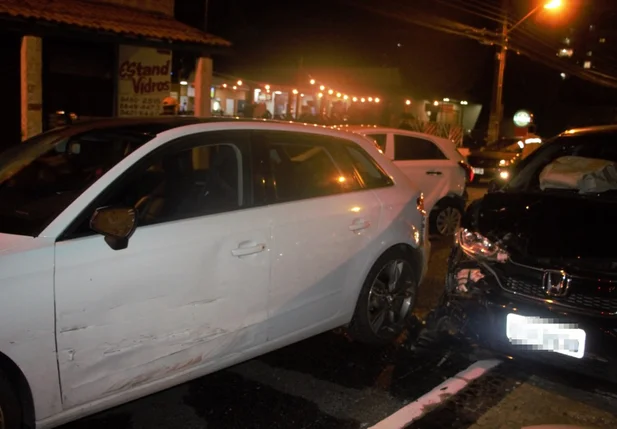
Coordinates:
[360,328]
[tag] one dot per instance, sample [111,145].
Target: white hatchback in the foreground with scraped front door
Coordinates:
[138,254]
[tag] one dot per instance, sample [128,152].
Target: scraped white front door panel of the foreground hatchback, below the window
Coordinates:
[172,300]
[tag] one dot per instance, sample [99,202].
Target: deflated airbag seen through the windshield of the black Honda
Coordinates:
[587,175]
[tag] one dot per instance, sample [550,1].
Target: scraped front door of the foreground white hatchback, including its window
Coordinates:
[188,292]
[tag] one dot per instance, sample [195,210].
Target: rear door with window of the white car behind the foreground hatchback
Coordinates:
[426,165]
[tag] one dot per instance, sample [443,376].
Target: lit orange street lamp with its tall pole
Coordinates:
[496,108]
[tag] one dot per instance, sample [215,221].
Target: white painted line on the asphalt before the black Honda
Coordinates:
[437,396]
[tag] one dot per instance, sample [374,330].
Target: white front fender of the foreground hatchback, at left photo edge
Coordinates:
[27,315]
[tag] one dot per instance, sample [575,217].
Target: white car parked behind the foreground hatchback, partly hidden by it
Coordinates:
[434,164]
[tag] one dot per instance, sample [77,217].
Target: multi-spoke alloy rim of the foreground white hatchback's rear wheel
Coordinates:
[391,297]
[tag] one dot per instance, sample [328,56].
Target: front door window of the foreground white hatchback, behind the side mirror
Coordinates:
[181,181]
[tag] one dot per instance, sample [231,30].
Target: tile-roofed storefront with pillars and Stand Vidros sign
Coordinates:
[96,58]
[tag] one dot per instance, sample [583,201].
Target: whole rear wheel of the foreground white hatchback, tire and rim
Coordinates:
[386,300]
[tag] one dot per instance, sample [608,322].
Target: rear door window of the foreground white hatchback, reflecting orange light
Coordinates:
[302,167]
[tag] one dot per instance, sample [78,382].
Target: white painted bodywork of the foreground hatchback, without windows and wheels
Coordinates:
[176,303]
